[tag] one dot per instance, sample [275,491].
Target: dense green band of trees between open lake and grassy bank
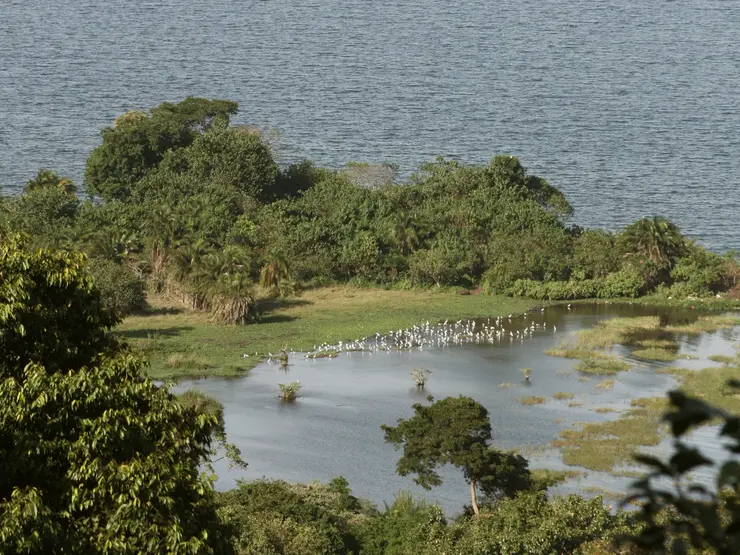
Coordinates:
[187,203]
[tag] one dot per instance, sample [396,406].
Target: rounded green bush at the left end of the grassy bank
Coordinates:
[121,290]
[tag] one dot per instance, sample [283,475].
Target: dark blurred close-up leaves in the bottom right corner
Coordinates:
[690,514]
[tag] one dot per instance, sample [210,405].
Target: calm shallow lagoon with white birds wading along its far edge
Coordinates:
[334,427]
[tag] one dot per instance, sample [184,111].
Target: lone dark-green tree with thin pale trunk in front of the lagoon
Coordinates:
[456,431]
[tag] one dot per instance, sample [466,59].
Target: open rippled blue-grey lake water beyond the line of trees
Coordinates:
[630,107]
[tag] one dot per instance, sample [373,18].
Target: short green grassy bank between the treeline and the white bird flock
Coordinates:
[184,343]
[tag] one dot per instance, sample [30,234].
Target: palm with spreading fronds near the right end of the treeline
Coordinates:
[655,239]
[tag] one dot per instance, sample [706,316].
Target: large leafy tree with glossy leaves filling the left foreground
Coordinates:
[94,458]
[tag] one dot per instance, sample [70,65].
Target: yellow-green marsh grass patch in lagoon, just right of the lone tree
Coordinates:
[604,445]
